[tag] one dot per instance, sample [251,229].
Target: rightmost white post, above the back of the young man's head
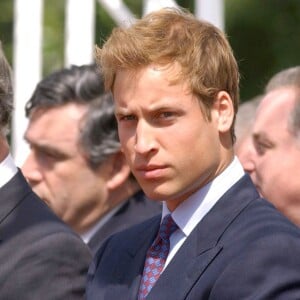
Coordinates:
[211,11]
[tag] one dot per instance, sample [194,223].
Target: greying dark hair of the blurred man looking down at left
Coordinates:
[83,85]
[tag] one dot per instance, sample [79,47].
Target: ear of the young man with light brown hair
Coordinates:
[223,106]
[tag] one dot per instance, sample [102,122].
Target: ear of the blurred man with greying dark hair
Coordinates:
[119,171]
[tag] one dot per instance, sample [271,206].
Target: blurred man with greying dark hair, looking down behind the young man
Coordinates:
[75,164]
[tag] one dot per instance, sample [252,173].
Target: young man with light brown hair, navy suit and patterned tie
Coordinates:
[175,83]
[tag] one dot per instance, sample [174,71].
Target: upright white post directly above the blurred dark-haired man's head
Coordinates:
[80,32]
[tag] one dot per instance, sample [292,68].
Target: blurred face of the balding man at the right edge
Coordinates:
[274,162]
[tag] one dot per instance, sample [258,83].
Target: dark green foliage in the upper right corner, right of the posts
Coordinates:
[265,36]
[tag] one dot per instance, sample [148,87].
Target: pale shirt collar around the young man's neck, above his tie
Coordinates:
[189,213]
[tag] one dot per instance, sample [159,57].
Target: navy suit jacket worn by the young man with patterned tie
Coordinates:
[242,249]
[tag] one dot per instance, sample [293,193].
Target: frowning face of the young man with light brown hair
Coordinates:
[170,146]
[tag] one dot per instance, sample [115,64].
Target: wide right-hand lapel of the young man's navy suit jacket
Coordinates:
[203,246]
